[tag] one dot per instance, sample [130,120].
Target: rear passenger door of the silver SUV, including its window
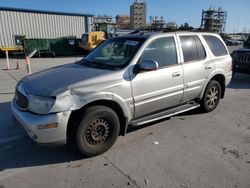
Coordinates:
[197,65]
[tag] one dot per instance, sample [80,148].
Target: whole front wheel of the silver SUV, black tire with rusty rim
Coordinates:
[97,131]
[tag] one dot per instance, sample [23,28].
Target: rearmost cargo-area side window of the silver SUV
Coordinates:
[215,45]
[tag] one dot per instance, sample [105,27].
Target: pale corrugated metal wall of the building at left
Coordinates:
[38,25]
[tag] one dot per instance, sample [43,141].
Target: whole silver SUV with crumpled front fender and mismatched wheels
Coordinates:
[130,80]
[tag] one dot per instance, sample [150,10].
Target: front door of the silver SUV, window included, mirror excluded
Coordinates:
[162,88]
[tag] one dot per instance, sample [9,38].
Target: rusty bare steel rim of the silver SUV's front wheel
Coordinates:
[98,131]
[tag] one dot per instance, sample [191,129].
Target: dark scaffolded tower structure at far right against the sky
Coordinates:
[214,20]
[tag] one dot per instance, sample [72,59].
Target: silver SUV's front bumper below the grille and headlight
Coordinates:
[31,121]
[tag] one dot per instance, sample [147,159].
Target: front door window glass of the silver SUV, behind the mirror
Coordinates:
[162,50]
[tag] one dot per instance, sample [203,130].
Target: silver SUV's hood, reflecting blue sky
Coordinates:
[54,81]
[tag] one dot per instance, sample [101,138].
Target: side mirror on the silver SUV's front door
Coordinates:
[146,66]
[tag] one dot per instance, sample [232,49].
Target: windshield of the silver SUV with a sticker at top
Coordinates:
[114,53]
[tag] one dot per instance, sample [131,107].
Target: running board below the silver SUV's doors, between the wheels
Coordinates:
[165,114]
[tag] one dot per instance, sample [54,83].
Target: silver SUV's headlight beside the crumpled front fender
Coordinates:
[40,105]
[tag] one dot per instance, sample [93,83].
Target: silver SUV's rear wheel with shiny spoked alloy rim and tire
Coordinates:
[211,97]
